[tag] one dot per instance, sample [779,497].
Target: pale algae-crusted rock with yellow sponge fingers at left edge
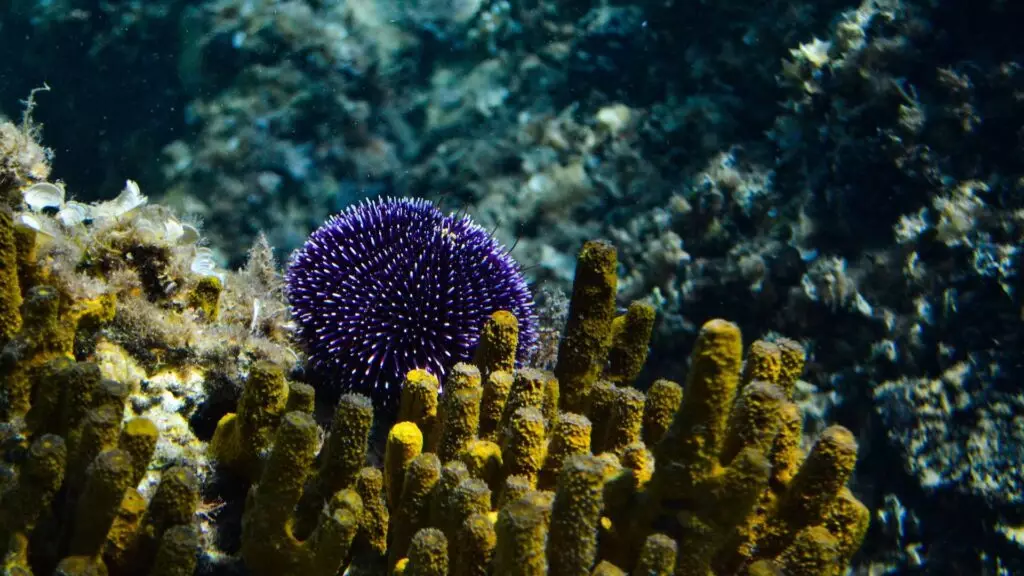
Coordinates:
[118,334]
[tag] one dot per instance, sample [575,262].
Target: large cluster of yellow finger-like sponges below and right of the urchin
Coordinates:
[724,487]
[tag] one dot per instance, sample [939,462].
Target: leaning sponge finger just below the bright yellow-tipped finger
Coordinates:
[413,511]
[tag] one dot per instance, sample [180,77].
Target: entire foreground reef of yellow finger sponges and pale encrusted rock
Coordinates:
[500,470]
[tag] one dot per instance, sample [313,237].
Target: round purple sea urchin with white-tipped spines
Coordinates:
[394,284]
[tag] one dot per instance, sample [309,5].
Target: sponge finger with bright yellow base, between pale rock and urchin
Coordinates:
[241,438]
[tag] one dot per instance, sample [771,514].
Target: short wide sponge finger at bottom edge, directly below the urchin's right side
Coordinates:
[522,530]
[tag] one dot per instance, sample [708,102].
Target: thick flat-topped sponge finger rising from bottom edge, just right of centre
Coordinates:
[575,516]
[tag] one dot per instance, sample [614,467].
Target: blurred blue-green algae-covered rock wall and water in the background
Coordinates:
[844,174]
